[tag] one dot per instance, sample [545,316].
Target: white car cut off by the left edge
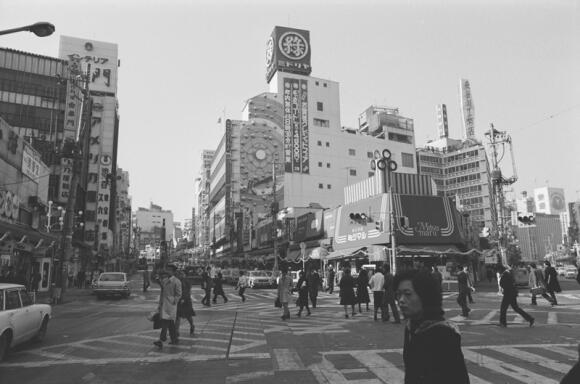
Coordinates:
[20,318]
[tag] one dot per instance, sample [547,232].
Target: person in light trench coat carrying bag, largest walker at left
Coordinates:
[168,300]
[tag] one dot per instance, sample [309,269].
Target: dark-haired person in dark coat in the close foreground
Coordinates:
[432,346]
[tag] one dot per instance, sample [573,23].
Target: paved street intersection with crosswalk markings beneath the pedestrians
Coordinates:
[110,341]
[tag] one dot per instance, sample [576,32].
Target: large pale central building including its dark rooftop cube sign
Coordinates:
[290,151]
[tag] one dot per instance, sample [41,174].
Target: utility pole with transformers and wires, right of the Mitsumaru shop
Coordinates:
[500,138]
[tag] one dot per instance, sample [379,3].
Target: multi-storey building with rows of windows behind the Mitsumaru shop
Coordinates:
[461,169]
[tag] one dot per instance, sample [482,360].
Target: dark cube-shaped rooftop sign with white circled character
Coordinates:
[288,50]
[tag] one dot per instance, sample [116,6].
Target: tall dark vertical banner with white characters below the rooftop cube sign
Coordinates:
[296,131]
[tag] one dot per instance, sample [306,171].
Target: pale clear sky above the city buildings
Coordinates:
[184,64]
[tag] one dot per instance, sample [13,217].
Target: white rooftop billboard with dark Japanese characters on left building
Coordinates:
[101,56]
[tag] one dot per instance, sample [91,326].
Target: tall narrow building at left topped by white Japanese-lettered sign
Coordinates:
[100,60]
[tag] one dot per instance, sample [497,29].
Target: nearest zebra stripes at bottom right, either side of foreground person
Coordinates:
[528,363]
